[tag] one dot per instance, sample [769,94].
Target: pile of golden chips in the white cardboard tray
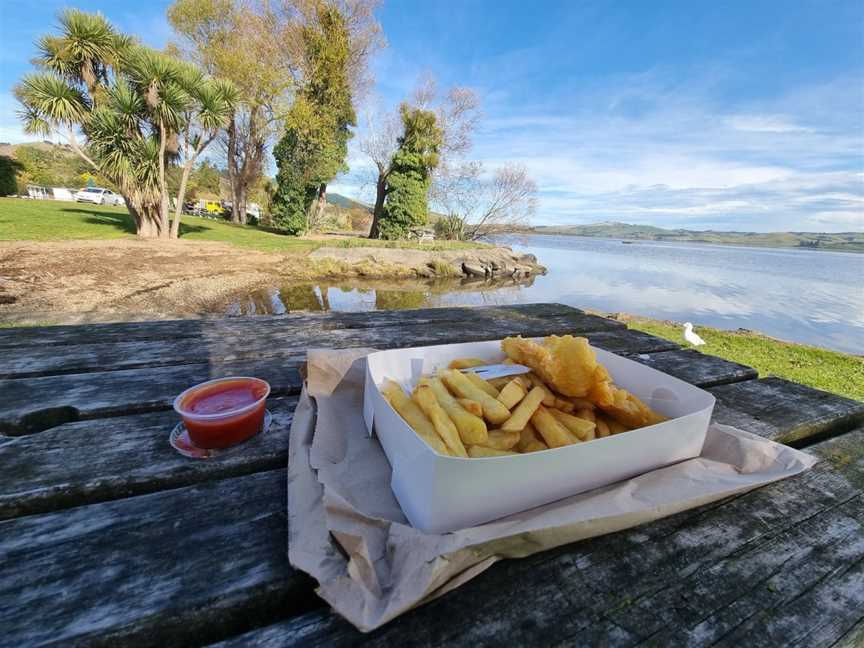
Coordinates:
[463,415]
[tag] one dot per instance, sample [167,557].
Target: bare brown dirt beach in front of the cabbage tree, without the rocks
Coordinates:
[100,279]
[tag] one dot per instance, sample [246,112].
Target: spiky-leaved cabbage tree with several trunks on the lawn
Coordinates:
[130,103]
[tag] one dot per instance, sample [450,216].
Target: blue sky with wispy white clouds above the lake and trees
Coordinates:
[734,115]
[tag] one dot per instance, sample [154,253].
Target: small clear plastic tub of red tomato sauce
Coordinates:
[224,397]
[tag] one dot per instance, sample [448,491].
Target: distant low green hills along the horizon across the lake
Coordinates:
[840,242]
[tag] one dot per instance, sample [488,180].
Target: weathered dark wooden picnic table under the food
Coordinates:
[109,537]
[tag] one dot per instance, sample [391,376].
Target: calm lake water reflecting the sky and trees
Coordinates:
[801,295]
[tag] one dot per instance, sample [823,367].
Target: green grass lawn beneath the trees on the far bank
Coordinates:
[48,220]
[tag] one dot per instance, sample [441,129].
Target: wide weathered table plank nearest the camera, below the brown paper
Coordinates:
[786,558]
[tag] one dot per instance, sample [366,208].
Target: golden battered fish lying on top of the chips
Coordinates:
[570,367]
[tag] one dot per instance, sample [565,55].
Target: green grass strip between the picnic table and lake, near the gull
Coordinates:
[834,372]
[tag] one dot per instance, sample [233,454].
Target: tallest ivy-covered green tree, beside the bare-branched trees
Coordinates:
[317,128]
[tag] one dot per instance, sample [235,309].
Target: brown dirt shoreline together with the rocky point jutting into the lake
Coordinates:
[72,281]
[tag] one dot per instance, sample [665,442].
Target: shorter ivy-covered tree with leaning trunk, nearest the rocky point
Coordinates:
[410,175]
